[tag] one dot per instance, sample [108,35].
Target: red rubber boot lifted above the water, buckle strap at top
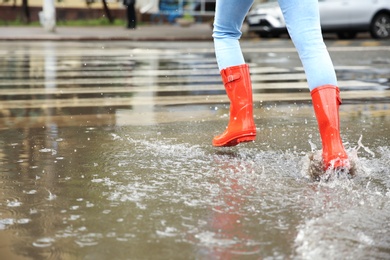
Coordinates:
[241,127]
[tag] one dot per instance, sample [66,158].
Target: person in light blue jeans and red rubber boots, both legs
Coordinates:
[303,24]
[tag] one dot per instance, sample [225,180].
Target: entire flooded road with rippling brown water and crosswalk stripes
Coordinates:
[105,153]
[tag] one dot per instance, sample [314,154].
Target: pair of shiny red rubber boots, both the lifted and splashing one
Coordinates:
[241,128]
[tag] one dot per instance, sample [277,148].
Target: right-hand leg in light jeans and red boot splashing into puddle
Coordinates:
[303,24]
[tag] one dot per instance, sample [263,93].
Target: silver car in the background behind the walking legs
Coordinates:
[344,17]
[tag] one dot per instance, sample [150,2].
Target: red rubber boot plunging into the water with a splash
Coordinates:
[326,102]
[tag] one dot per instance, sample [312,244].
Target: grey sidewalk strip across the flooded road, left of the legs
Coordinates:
[166,32]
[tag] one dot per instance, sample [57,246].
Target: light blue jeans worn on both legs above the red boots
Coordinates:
[303,24]
